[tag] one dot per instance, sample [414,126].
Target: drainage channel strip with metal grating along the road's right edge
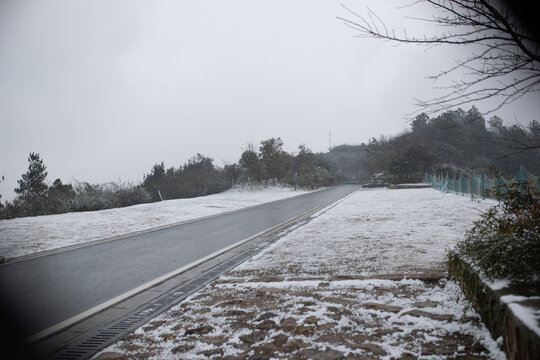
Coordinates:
[89,336]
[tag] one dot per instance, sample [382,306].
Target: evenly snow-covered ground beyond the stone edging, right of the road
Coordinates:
[376,232]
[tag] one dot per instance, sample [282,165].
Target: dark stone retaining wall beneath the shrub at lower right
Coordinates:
[519,341]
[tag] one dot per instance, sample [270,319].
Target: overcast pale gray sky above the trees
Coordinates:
[104,89]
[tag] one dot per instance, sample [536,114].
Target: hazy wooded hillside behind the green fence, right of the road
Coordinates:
[454,142]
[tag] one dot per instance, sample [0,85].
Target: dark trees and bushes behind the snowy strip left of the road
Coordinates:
[199,176]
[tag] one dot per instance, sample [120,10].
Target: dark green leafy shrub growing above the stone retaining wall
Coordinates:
[505,243]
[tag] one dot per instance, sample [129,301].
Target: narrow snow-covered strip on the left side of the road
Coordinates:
[29,235]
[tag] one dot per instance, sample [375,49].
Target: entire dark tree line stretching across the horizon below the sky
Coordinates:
[454,142]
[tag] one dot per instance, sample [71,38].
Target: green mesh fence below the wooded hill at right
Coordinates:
[478,185]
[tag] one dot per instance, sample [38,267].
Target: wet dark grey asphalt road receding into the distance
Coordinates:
[44,291]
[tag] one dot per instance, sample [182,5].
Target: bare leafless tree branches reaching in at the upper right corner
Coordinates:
[504,58]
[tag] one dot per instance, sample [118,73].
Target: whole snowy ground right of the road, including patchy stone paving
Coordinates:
[365,279]
